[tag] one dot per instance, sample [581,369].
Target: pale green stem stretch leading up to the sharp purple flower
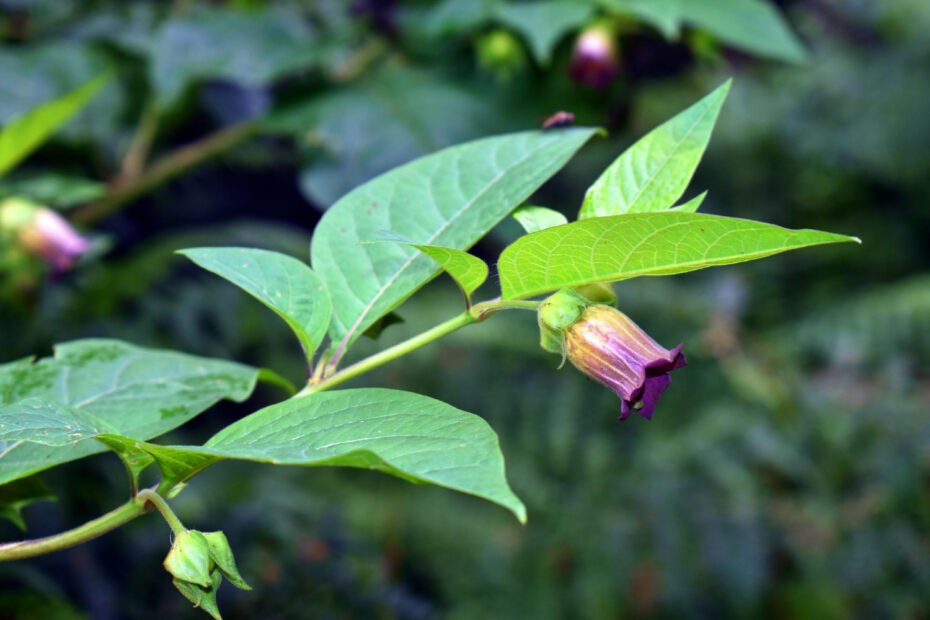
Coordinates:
[478,312]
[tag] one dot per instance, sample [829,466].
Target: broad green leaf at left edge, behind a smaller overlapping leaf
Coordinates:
[141,393]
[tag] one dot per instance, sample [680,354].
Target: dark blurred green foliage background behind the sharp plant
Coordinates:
[787,471]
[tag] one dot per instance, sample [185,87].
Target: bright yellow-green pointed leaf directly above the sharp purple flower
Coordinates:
[647,244]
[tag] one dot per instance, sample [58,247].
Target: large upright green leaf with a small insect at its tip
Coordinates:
[450,199]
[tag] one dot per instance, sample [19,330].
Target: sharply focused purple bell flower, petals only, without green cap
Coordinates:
[609,347]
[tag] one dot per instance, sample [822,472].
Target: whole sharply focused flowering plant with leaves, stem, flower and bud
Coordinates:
[370,252]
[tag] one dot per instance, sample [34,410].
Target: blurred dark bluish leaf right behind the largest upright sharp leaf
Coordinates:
[355,133]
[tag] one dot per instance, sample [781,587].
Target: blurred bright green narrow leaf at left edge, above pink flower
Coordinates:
[21,136]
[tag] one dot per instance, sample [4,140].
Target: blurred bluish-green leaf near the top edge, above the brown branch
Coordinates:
[253,48]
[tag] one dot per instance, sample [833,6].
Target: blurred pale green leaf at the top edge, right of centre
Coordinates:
[752,25]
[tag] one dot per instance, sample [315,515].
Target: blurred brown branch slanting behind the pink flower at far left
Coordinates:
[164,170]
